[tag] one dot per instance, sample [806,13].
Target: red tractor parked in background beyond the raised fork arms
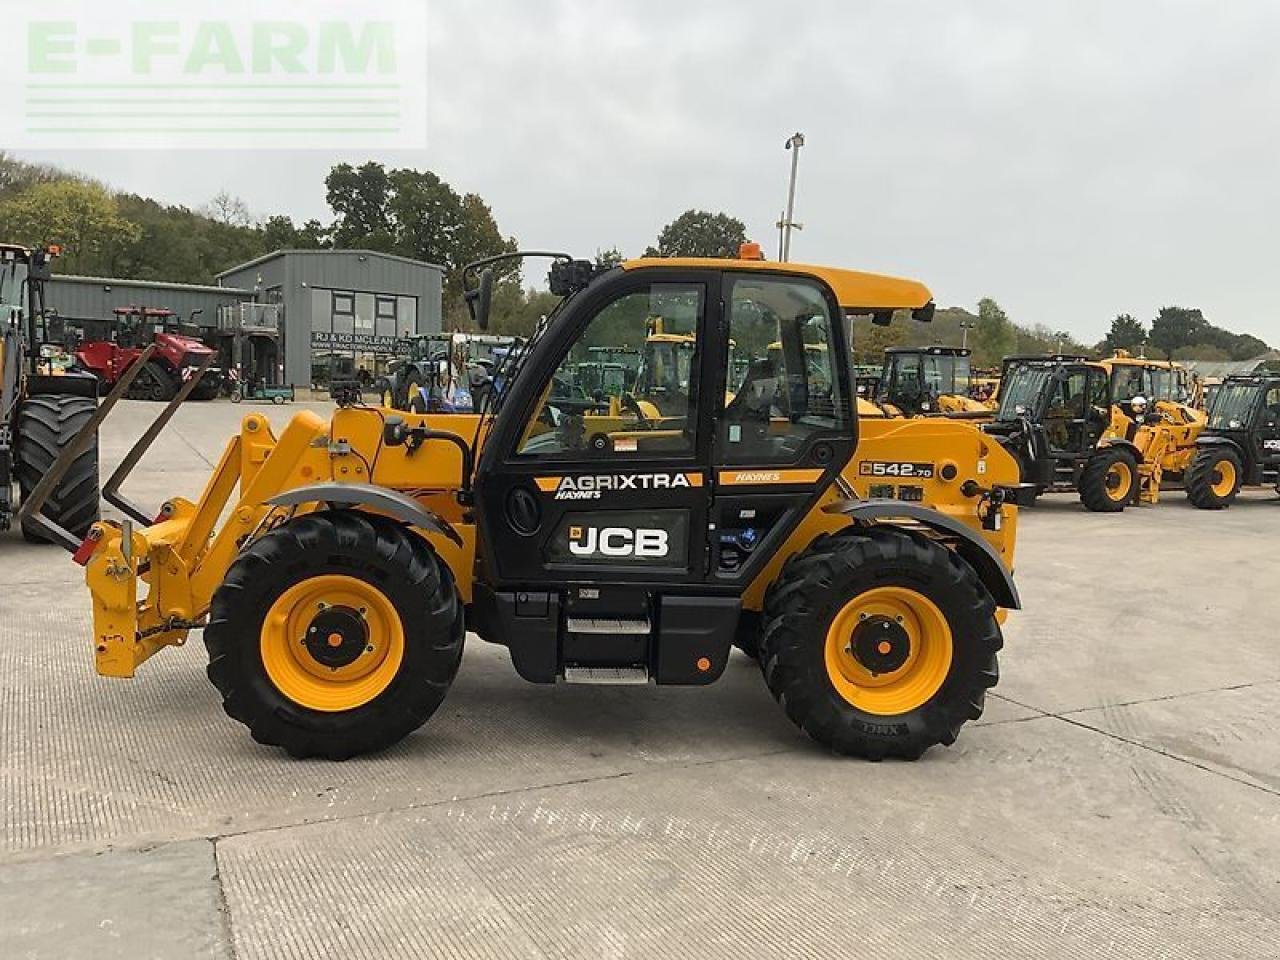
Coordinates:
[176,356]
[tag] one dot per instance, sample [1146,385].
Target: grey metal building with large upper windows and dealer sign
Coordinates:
[342,304]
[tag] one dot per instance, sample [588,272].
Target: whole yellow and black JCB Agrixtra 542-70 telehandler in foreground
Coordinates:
[356,554]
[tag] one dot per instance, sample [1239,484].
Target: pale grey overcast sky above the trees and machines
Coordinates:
[1072,158]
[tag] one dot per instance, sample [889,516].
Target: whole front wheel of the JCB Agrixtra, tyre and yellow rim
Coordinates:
[298,684]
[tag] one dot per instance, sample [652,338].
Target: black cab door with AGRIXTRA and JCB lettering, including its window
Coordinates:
[587,484]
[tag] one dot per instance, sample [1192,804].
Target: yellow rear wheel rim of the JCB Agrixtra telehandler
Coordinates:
[889,651]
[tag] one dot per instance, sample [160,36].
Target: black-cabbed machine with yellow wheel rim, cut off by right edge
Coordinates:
[1241,445]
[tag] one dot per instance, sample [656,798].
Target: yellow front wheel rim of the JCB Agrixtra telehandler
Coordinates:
[332,643]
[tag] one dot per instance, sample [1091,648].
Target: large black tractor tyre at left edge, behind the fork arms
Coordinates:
[47,426]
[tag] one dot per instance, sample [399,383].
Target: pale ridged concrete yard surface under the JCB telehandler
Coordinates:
[1121,798]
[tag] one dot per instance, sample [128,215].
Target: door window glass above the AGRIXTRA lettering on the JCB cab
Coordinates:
[644,401]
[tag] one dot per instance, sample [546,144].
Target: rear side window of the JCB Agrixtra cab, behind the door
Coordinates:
[781,386]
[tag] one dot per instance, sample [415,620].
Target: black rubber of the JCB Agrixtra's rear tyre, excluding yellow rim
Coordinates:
[811,592]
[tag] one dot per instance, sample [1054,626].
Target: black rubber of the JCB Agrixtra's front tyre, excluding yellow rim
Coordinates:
[377,551]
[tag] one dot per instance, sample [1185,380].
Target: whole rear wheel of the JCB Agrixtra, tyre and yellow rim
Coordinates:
[890,601]
